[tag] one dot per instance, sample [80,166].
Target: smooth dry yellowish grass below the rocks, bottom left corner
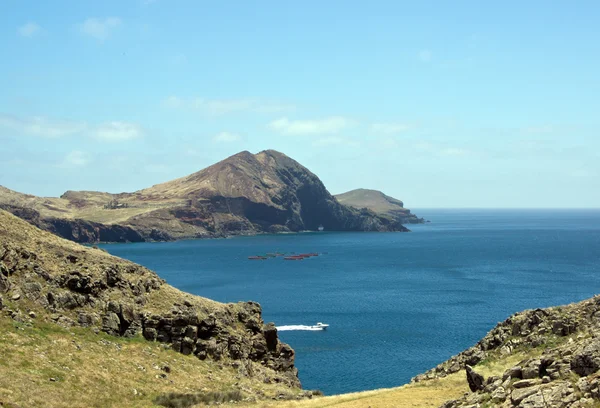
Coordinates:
[48,366]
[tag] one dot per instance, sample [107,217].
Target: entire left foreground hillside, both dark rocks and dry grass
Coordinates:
[58,298]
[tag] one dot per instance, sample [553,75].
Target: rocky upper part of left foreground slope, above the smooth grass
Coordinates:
[48,281]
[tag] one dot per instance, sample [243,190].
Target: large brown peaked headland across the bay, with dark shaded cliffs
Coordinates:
[243,194]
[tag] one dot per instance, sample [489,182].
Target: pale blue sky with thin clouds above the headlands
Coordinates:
[442,104]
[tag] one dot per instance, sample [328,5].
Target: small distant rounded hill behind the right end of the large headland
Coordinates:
[379,203]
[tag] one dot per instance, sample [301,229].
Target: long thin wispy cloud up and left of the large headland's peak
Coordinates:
[217,107]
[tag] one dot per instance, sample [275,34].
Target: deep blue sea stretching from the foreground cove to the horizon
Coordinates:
[398,303]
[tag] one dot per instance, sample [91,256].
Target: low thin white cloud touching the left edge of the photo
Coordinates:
[41,126]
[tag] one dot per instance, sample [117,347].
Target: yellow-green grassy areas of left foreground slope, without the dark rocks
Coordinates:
[98,370]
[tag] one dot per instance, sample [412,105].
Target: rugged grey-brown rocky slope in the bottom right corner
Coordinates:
[562,368]
